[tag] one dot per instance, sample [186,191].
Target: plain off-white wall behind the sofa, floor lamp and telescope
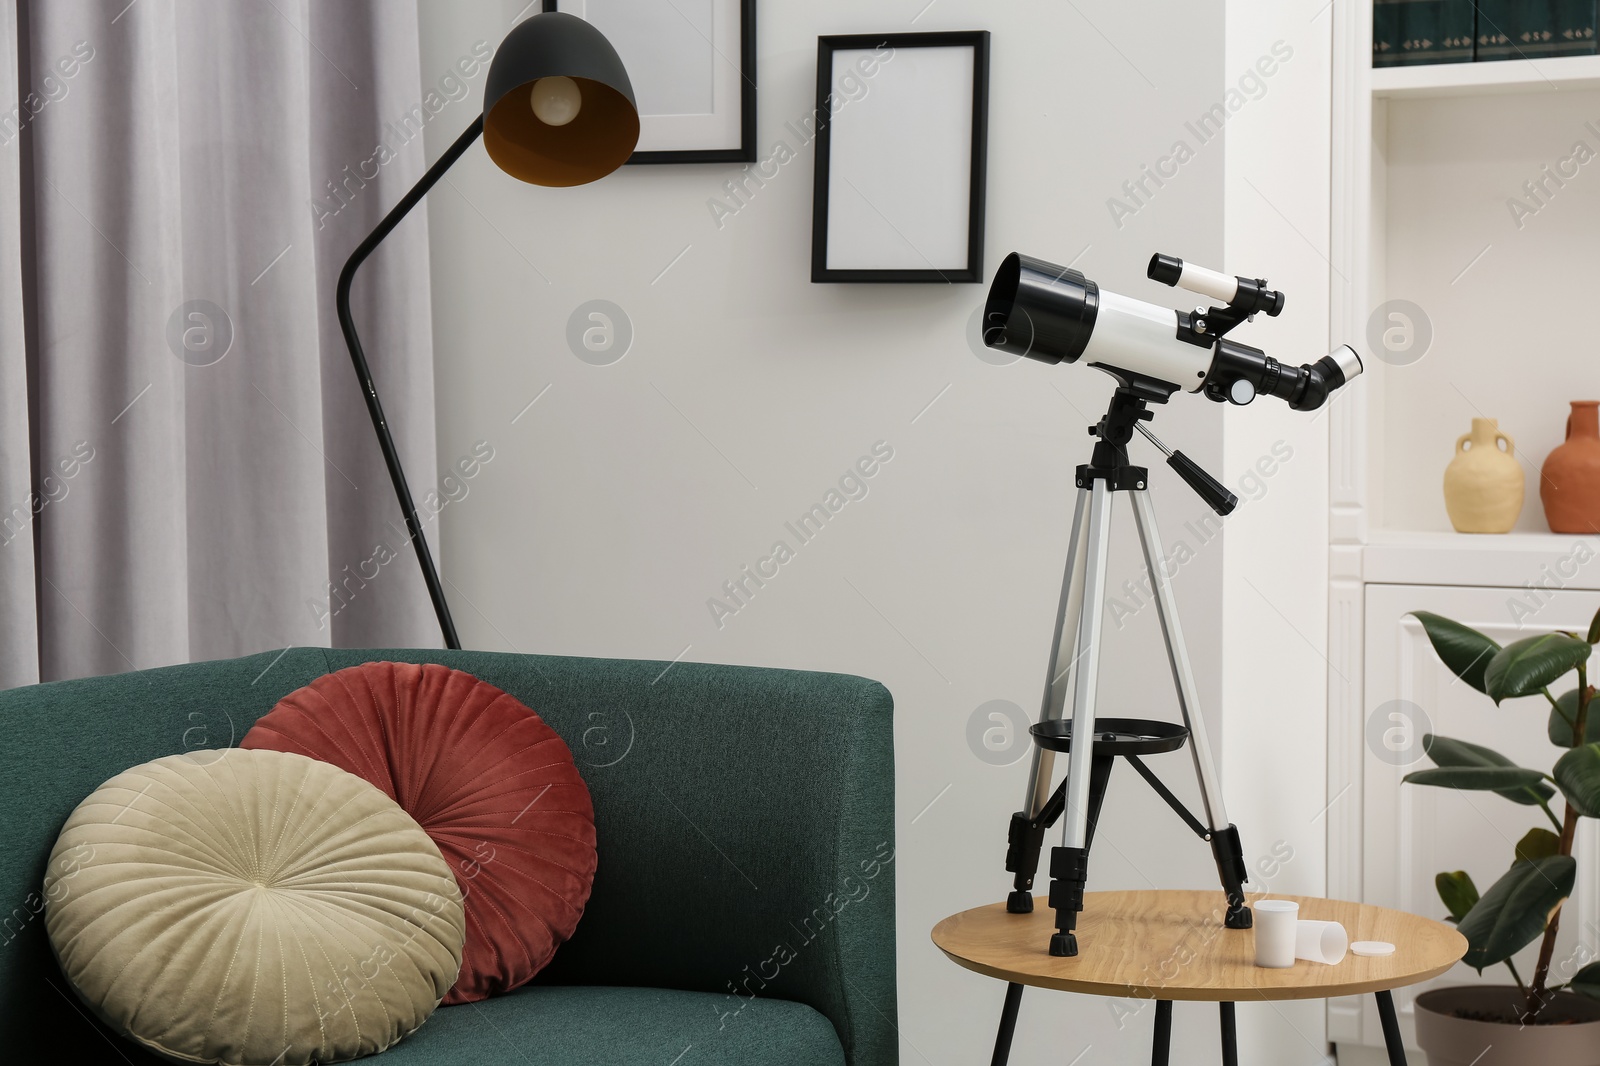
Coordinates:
[625,499]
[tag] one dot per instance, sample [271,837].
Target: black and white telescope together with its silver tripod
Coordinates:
[1055,315]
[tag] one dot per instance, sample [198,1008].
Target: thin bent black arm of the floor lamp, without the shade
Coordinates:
[364,374]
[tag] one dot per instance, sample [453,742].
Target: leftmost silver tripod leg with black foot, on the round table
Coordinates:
[1028,827]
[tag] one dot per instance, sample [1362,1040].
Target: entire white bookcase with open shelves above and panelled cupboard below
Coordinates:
[1425,166]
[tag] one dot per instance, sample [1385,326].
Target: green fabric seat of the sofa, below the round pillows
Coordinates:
[604,1027]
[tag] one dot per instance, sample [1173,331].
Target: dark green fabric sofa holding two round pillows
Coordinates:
[745,907]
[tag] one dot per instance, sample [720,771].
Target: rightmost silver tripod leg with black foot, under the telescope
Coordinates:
[1225,838]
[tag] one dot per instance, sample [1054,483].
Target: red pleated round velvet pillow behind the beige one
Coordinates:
[486,777]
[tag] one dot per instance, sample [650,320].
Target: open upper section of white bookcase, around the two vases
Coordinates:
[1428,164]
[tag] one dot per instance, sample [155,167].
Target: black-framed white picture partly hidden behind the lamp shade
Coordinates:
[694,71]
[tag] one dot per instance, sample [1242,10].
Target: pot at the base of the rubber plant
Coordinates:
[1452,1041]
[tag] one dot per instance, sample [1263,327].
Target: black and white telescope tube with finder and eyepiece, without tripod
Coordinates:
[1055,315]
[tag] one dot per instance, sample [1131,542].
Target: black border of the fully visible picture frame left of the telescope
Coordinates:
[974,271]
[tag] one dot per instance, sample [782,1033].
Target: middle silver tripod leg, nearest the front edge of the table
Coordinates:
[1070,865]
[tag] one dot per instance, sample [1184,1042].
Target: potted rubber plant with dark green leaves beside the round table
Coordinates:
[1550,1019]
